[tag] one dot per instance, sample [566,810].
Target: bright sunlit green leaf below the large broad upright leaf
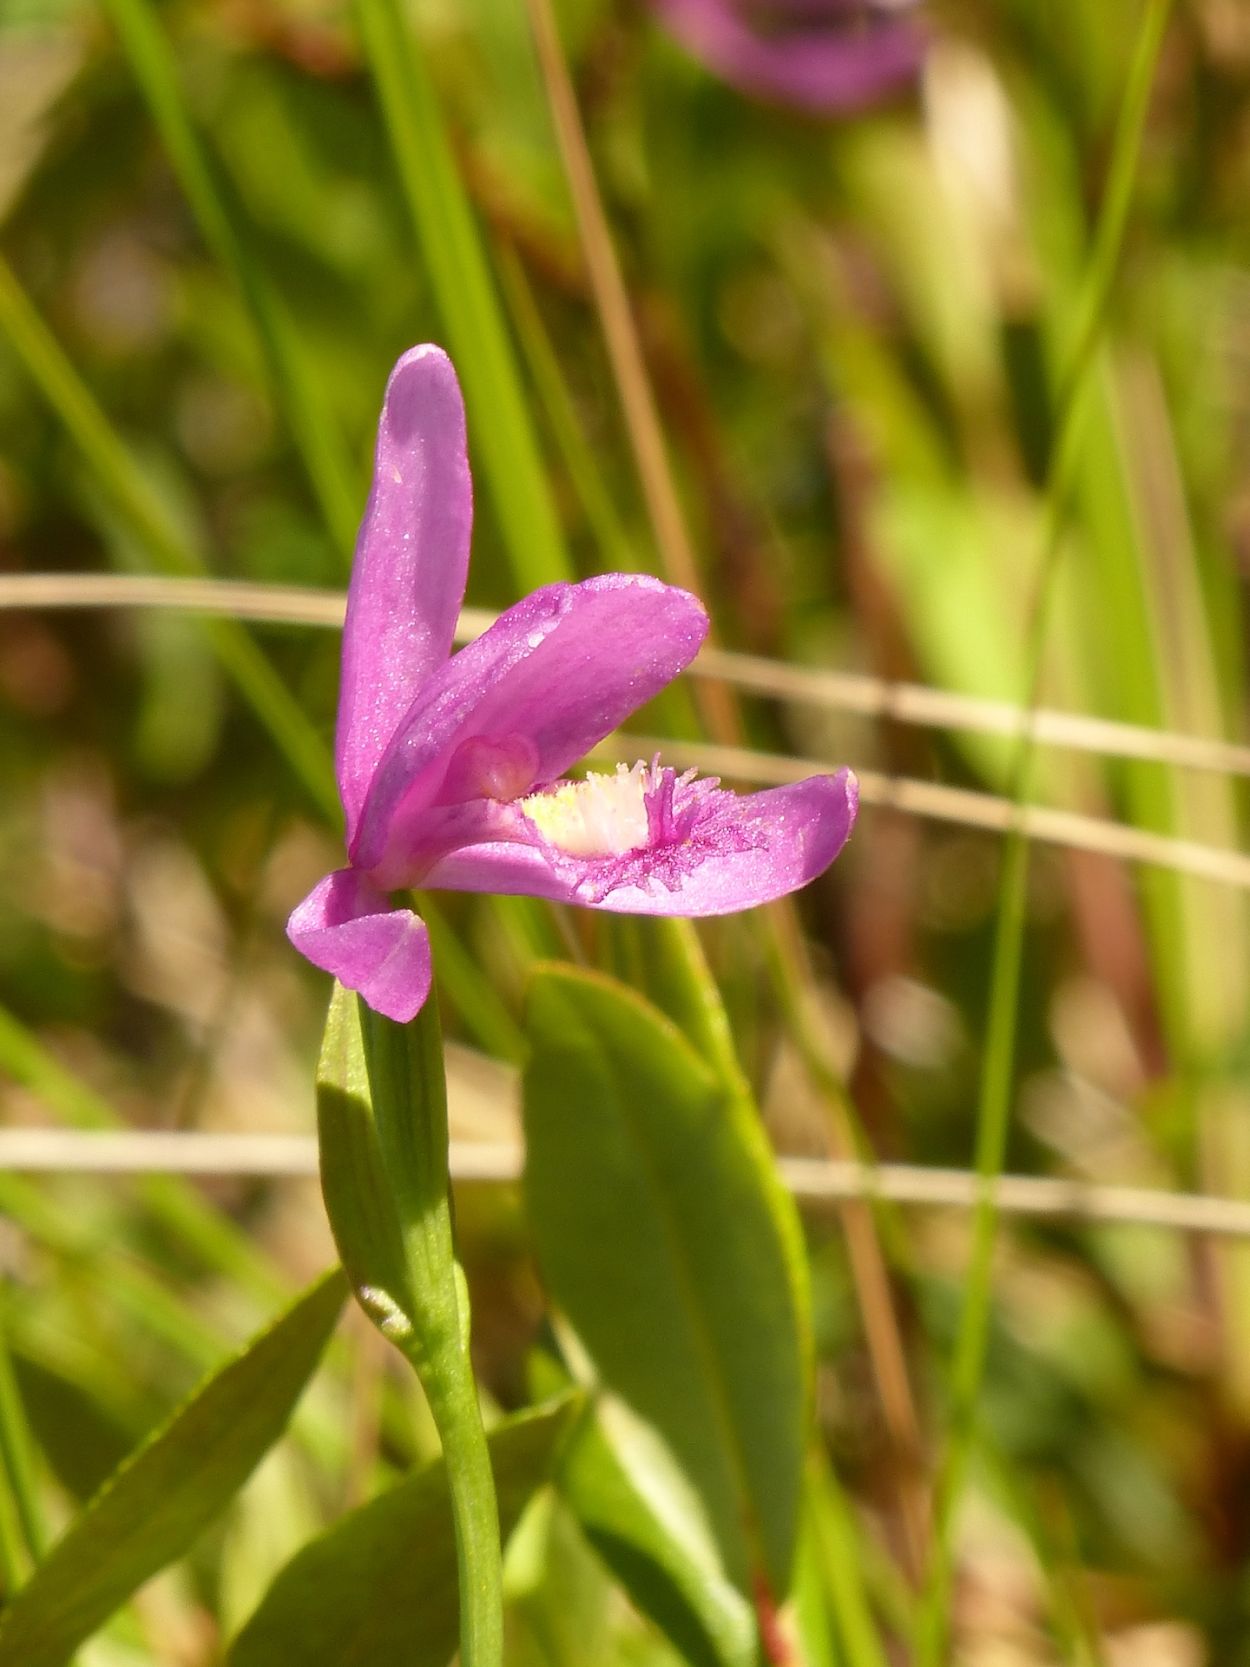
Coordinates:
[642,1518]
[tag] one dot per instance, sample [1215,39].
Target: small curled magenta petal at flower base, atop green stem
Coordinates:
[347,928]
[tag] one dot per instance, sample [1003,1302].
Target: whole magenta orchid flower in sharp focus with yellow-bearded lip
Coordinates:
[451,768]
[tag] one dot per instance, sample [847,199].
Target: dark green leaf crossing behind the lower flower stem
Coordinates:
[381,1588]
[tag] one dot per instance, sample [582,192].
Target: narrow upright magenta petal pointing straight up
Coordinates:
[411,564]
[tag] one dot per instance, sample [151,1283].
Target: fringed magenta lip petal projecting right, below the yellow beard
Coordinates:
[796,834]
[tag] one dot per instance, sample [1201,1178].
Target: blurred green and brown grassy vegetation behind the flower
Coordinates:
[956,393]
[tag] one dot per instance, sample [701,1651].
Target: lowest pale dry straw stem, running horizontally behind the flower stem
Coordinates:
[812,1181]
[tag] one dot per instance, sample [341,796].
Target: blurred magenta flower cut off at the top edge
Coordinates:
[821,56]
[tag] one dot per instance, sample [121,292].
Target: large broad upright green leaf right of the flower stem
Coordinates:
[667,1239]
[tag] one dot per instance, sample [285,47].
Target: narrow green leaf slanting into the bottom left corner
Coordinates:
[156,1506]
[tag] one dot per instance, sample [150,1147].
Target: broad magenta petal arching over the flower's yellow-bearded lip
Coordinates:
[551,679]
